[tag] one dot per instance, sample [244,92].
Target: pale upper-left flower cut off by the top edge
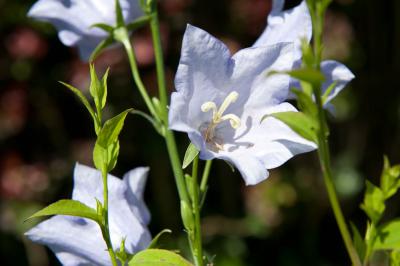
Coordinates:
[74,18]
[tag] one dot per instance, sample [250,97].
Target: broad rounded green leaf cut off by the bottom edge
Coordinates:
[158,257]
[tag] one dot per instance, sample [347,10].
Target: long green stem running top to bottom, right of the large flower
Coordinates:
[323,145]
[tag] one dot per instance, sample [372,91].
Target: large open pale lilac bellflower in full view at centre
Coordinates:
[220,100]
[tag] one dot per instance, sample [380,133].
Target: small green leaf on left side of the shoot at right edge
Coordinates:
[374,202]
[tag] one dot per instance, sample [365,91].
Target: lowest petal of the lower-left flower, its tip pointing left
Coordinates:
[78,241]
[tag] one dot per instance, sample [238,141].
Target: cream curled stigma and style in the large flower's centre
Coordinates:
[218,117]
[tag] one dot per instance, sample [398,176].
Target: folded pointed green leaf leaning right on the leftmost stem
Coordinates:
[111,129]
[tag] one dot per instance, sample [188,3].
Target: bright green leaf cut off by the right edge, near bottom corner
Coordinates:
[388,236]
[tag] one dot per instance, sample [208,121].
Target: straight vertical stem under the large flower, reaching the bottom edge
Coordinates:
[198,254]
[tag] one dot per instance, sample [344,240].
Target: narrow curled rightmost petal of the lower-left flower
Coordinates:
[135,181]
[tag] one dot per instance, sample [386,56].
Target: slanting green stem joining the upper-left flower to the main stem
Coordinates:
[124,38]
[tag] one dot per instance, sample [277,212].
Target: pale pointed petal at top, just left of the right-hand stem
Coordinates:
[288,26]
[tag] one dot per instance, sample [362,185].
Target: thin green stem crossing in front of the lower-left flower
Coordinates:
[104,227]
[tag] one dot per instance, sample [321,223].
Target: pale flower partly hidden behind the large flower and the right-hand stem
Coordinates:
[291,26]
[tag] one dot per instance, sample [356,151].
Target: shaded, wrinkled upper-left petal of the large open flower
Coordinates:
[203,71]
